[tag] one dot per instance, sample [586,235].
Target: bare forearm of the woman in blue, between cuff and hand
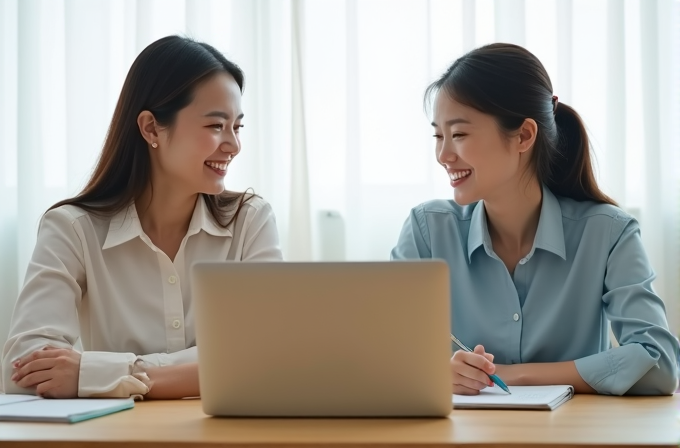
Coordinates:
[540,374]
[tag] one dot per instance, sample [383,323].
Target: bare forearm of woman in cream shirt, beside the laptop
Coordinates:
[173,382]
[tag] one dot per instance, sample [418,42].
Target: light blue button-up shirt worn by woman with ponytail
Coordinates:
[587,267]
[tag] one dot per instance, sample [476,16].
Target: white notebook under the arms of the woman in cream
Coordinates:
[29,408]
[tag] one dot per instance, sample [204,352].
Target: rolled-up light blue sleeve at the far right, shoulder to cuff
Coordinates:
[646,363]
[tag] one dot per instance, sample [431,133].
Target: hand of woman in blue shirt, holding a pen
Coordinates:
[470,371]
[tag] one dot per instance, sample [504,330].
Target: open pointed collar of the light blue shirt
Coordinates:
[549,234]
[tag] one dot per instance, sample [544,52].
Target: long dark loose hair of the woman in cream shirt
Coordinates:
[161,80]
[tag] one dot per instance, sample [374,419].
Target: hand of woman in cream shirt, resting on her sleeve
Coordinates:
[54,372]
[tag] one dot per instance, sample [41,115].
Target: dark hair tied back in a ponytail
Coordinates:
[510,83]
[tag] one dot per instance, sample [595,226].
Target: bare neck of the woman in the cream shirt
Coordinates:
[164,211]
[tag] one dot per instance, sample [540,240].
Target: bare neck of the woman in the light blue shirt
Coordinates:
[512,216]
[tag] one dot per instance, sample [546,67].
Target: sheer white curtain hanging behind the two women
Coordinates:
[336,137]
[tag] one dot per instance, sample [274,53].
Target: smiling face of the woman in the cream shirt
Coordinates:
[195,152]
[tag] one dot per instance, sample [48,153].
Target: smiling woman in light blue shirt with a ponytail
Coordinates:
[541,260]
